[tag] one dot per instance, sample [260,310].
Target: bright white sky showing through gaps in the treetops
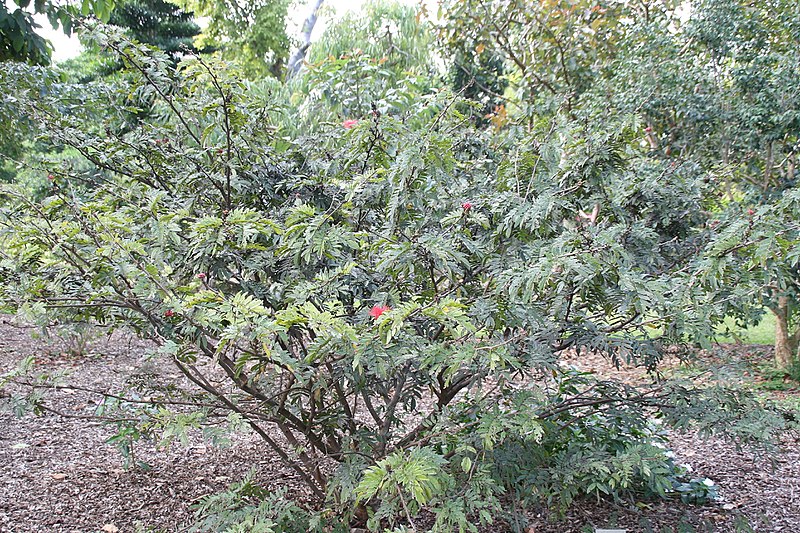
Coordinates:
[67,47]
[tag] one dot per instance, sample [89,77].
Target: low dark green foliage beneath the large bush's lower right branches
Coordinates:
[594,438]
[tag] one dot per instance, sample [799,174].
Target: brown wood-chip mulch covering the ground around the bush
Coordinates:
[58,474]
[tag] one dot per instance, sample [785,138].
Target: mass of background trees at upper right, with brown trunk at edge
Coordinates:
[716,95]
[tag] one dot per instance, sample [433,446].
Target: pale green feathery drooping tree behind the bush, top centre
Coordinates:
[388,42]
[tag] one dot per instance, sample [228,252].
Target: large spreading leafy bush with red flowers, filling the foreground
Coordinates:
[387,300]
